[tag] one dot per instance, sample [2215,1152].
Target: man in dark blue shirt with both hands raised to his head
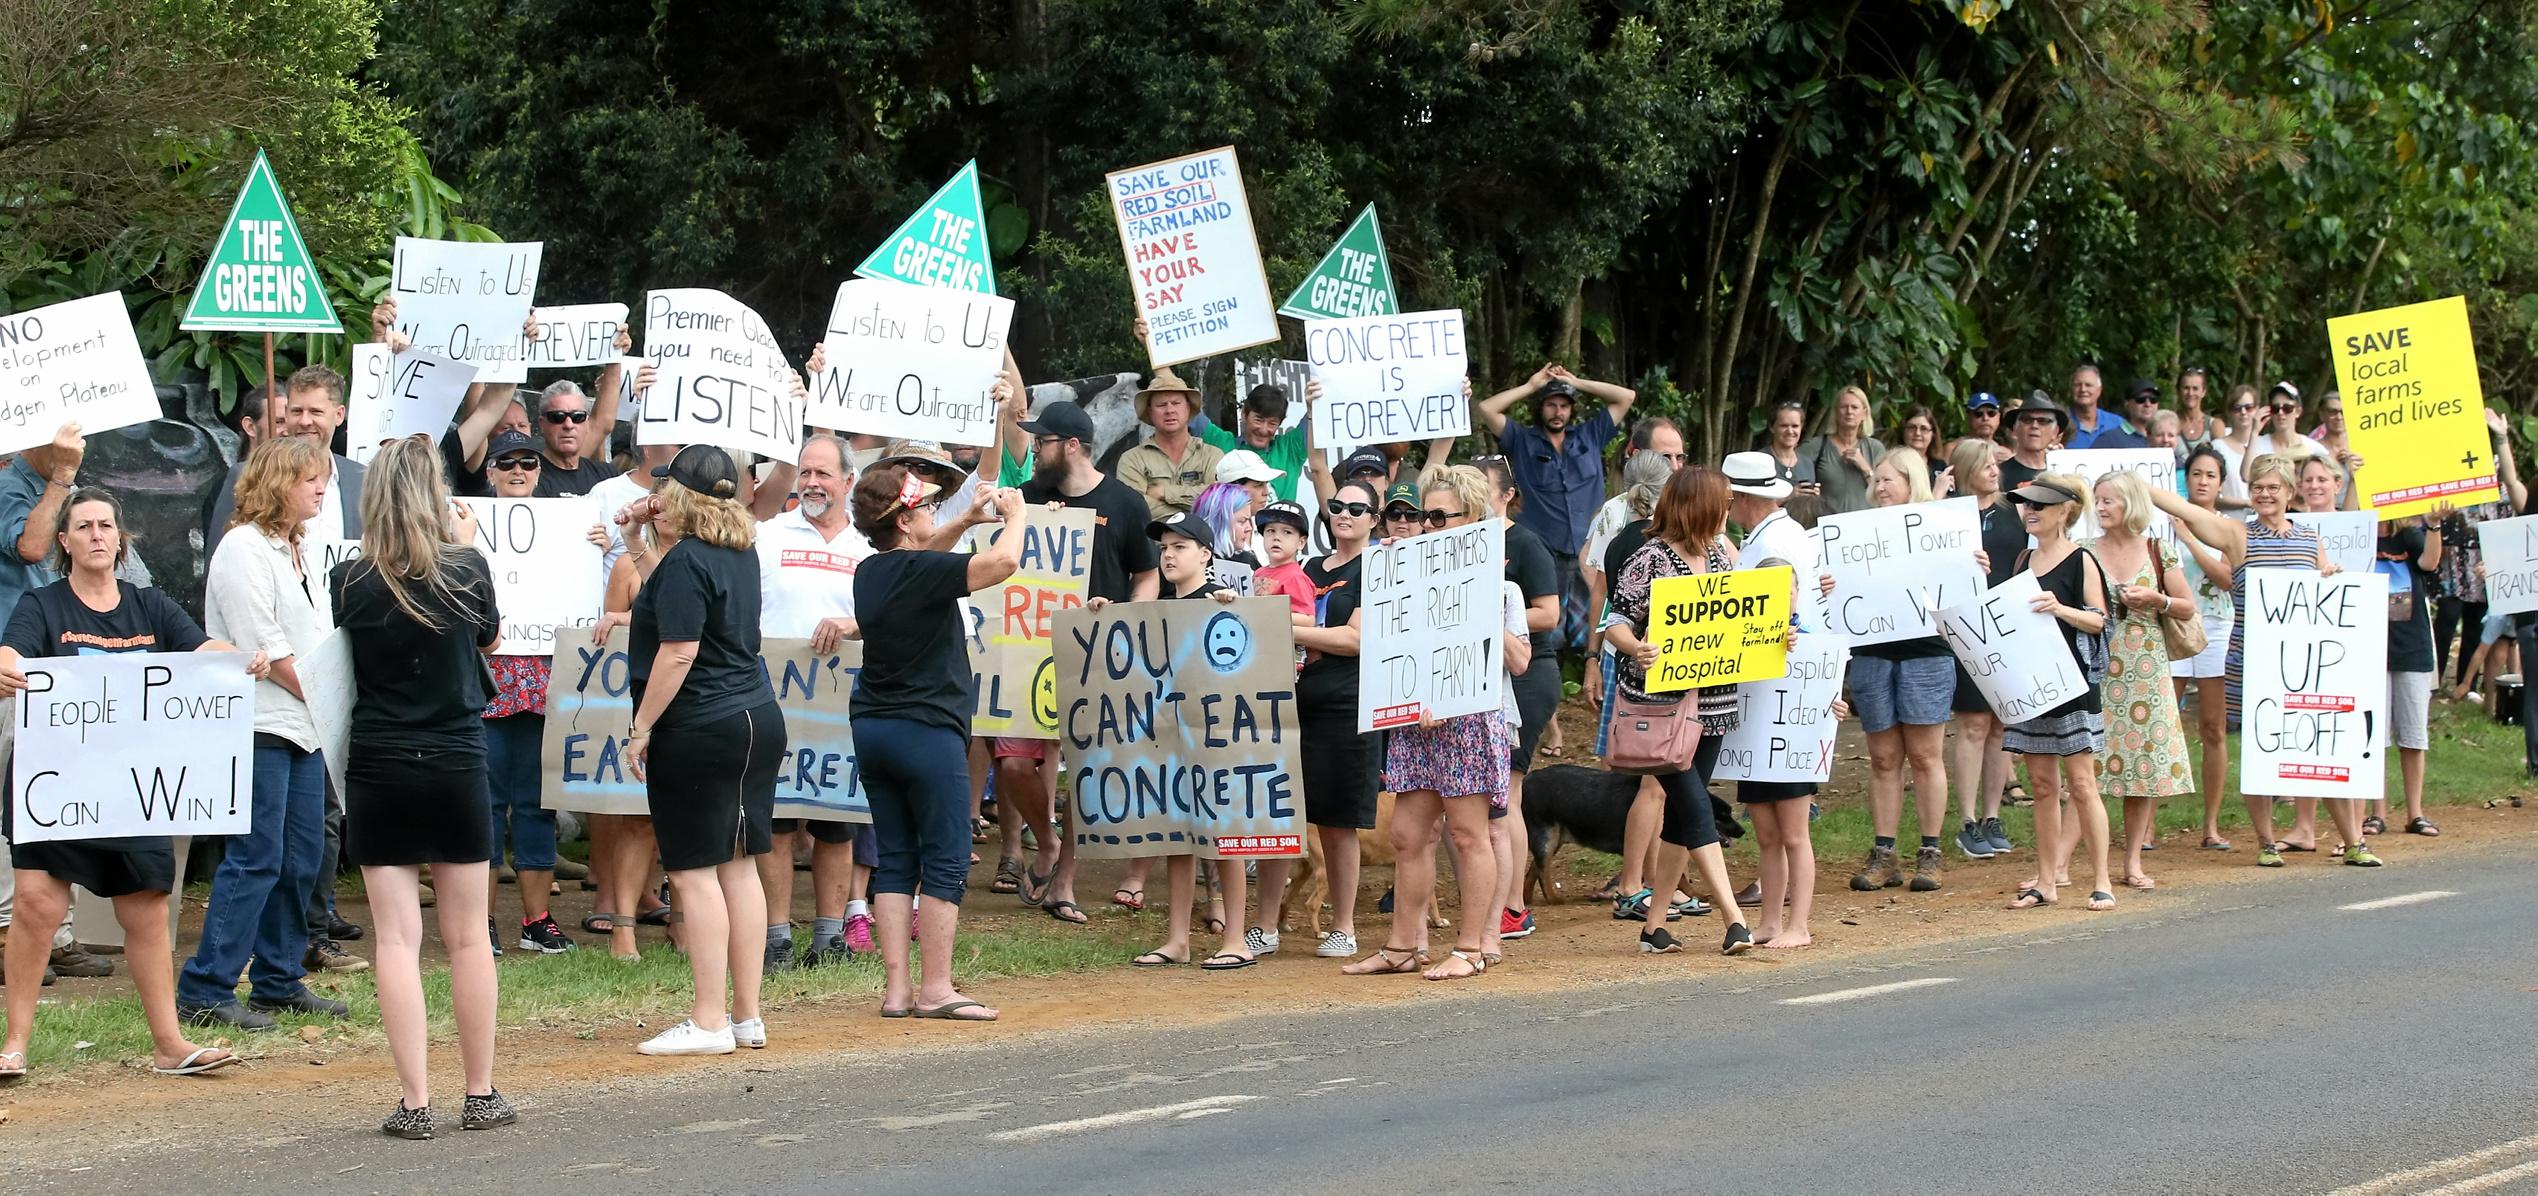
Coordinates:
[1560,468]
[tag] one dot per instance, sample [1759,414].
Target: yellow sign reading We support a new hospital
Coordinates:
[1719,628]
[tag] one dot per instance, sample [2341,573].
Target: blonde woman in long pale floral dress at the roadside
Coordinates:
[2146,740]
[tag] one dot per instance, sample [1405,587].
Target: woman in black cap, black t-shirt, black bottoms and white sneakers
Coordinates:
[707,743]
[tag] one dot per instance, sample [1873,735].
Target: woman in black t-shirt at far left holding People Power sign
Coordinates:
[80,616]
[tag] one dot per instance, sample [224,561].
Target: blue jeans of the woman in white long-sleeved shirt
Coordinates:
[260,893]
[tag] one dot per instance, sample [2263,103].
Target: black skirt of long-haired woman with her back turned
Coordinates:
[405,809]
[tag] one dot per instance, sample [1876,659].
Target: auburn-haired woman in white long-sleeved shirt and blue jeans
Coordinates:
[260,595]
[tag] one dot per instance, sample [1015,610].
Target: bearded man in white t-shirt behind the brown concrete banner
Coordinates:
[808,593]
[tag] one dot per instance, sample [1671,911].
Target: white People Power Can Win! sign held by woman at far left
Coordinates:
[121,745]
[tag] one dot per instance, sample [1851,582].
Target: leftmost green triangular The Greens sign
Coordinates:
[260,278]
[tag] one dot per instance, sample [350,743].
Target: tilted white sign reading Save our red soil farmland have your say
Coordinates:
[1192,258]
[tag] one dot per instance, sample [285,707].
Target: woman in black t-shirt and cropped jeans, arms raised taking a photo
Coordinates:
[912,712]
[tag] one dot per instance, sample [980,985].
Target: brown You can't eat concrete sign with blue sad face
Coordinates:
[1179,730]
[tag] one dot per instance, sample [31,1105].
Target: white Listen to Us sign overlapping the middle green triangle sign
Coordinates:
[912,362]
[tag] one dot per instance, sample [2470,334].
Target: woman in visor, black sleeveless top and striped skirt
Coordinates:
[2065,740]
